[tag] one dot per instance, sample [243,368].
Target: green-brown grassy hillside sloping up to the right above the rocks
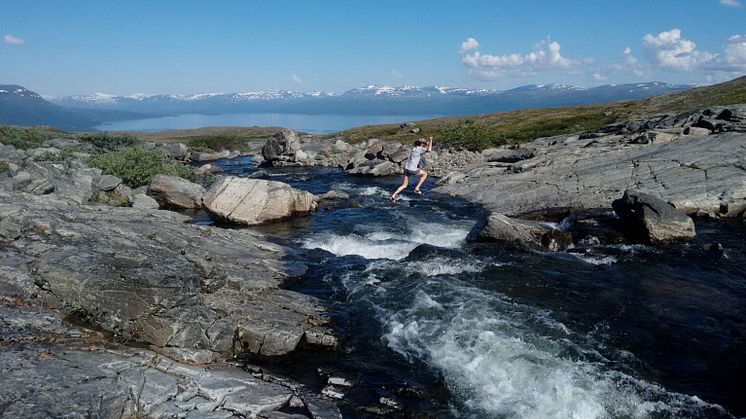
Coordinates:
[481,131]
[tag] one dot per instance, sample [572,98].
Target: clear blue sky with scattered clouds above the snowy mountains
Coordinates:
[122,47]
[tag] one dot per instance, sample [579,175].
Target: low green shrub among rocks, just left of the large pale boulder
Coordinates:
[137,166]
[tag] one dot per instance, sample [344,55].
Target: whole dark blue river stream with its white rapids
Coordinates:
[450,328]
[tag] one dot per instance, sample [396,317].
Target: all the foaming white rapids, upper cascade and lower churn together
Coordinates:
[498,358]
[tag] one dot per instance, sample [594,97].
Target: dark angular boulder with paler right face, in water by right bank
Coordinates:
[649,218]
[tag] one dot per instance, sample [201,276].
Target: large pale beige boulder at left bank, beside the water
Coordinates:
[255,201]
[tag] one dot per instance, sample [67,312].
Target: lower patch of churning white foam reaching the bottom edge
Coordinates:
[491,352]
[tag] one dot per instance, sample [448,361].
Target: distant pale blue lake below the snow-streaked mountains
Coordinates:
[312,124]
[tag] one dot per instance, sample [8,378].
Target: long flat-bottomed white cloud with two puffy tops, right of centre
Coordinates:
[545,56]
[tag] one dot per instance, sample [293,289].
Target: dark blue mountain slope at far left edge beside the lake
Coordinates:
[20,106]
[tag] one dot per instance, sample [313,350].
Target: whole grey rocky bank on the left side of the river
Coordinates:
[82,285]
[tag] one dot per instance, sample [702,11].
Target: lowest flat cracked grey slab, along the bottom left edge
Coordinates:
[42,380]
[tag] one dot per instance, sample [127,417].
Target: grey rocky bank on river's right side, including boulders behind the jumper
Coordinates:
[692,162]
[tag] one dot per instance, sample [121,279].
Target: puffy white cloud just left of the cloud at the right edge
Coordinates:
[670,50]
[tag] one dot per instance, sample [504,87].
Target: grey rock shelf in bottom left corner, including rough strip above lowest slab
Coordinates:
[50,368]
